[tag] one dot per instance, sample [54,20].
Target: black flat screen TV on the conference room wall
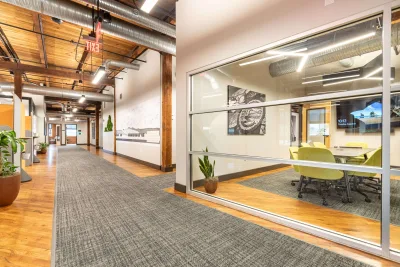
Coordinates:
[364,115]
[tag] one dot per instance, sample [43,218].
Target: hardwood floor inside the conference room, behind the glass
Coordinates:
[325,217]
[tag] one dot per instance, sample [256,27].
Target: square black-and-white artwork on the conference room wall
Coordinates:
[249,121]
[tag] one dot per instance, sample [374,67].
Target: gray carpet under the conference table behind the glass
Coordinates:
[279,183]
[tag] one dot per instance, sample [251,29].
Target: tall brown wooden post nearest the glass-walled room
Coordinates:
[166,131]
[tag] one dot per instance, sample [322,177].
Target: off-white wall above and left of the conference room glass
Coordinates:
[210,31]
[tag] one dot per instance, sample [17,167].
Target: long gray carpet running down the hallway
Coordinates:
[105,216]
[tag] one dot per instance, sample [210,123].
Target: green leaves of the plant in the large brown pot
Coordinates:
[8,139]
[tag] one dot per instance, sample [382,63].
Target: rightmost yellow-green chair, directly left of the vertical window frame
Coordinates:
[369,179]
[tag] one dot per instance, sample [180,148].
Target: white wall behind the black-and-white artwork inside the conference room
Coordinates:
[211,130]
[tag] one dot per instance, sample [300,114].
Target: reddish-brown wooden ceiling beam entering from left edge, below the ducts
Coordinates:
[51,72]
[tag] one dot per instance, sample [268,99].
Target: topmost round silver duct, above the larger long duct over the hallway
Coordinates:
[135,15]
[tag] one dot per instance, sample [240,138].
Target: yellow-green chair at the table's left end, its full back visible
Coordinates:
[325,178]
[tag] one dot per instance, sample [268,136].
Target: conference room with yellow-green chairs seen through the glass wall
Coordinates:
[296,131]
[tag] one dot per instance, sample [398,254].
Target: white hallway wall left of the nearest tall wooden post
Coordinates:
[140,106]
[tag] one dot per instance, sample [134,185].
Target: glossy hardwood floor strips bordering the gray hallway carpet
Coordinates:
[26,225]
